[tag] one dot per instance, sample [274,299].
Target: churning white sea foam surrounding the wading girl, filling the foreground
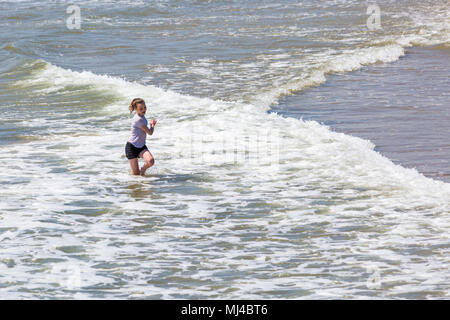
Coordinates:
[327,184]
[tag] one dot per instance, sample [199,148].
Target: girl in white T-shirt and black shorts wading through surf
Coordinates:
[135,147]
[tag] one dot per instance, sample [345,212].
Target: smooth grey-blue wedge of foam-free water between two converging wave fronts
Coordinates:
[399,106]
